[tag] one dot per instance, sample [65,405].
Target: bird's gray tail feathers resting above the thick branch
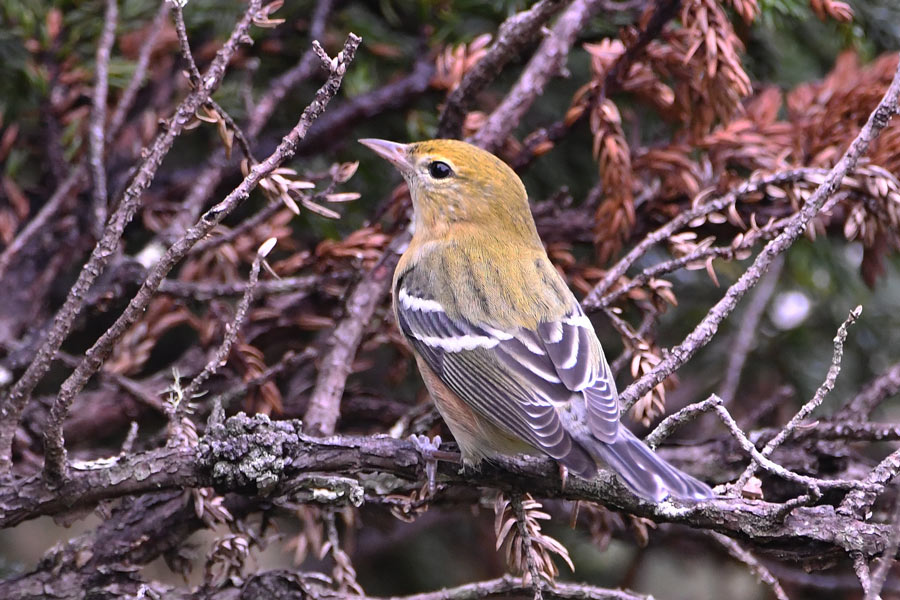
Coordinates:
[645,473]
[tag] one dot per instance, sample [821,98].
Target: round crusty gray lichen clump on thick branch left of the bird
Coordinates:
[248,451]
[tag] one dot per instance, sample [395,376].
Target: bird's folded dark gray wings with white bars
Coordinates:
[517,379]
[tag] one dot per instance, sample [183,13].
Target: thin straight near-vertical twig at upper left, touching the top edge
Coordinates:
[97,127]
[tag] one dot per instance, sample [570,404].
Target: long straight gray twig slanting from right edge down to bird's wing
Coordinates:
[708,326]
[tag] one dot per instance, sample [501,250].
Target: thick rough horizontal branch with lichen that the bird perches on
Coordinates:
[276,460]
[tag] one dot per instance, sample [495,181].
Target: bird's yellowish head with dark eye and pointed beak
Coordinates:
[455,182]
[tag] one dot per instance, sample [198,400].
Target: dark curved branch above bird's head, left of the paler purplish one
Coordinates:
[514,34]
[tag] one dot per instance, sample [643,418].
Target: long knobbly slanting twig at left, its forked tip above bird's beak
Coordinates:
[55,454]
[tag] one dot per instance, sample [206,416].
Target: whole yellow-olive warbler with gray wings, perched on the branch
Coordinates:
[505,349]
